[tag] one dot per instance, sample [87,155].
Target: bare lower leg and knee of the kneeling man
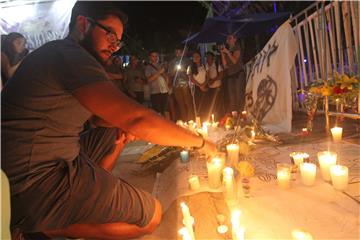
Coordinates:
[108,231]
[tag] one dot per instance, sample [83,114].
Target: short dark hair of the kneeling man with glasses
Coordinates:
[96,10]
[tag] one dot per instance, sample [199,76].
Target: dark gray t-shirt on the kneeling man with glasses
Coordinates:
[41,119]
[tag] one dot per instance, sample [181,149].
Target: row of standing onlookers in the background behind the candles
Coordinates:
[186,86]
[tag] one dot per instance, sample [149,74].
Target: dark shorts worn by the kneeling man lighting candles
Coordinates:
[81,192]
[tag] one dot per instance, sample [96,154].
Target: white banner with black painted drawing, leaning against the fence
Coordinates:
[268,89]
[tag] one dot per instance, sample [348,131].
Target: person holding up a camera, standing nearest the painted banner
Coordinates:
[234,74]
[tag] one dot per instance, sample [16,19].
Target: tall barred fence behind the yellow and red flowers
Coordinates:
[328,37]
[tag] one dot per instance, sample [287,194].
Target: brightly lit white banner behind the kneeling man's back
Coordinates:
[39,21]
